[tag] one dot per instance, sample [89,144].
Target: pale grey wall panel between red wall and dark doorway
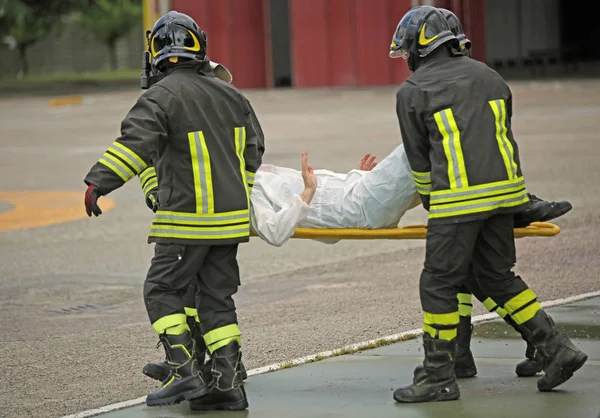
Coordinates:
[515,27]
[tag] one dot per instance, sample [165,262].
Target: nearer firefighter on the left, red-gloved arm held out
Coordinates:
[198,134]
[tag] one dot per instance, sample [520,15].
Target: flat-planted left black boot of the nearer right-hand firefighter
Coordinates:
[439,382]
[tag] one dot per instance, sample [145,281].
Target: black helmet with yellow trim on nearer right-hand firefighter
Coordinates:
[422,30]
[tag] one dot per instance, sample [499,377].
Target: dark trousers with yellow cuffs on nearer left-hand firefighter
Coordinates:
[213,272]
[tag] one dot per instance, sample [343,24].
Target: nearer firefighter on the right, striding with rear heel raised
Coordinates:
[455,119]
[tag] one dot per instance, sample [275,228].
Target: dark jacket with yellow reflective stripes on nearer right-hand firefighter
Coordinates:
[455,119]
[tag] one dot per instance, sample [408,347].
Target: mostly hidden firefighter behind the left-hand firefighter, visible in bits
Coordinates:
[149,183]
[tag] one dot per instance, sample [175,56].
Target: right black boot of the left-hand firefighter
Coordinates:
[226,388]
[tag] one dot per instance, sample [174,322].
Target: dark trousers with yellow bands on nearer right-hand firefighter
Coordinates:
[487,249]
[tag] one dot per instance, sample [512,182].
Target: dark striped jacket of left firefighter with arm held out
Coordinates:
[205,143]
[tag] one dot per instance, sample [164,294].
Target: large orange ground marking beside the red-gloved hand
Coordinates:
[37,208]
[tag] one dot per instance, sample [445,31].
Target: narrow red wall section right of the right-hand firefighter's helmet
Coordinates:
[472,15]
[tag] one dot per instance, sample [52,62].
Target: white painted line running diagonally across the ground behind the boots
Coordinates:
[353,347]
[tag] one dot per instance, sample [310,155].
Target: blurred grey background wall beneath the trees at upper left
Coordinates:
[75,50]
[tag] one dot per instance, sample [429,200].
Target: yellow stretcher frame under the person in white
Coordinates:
[536,229]
